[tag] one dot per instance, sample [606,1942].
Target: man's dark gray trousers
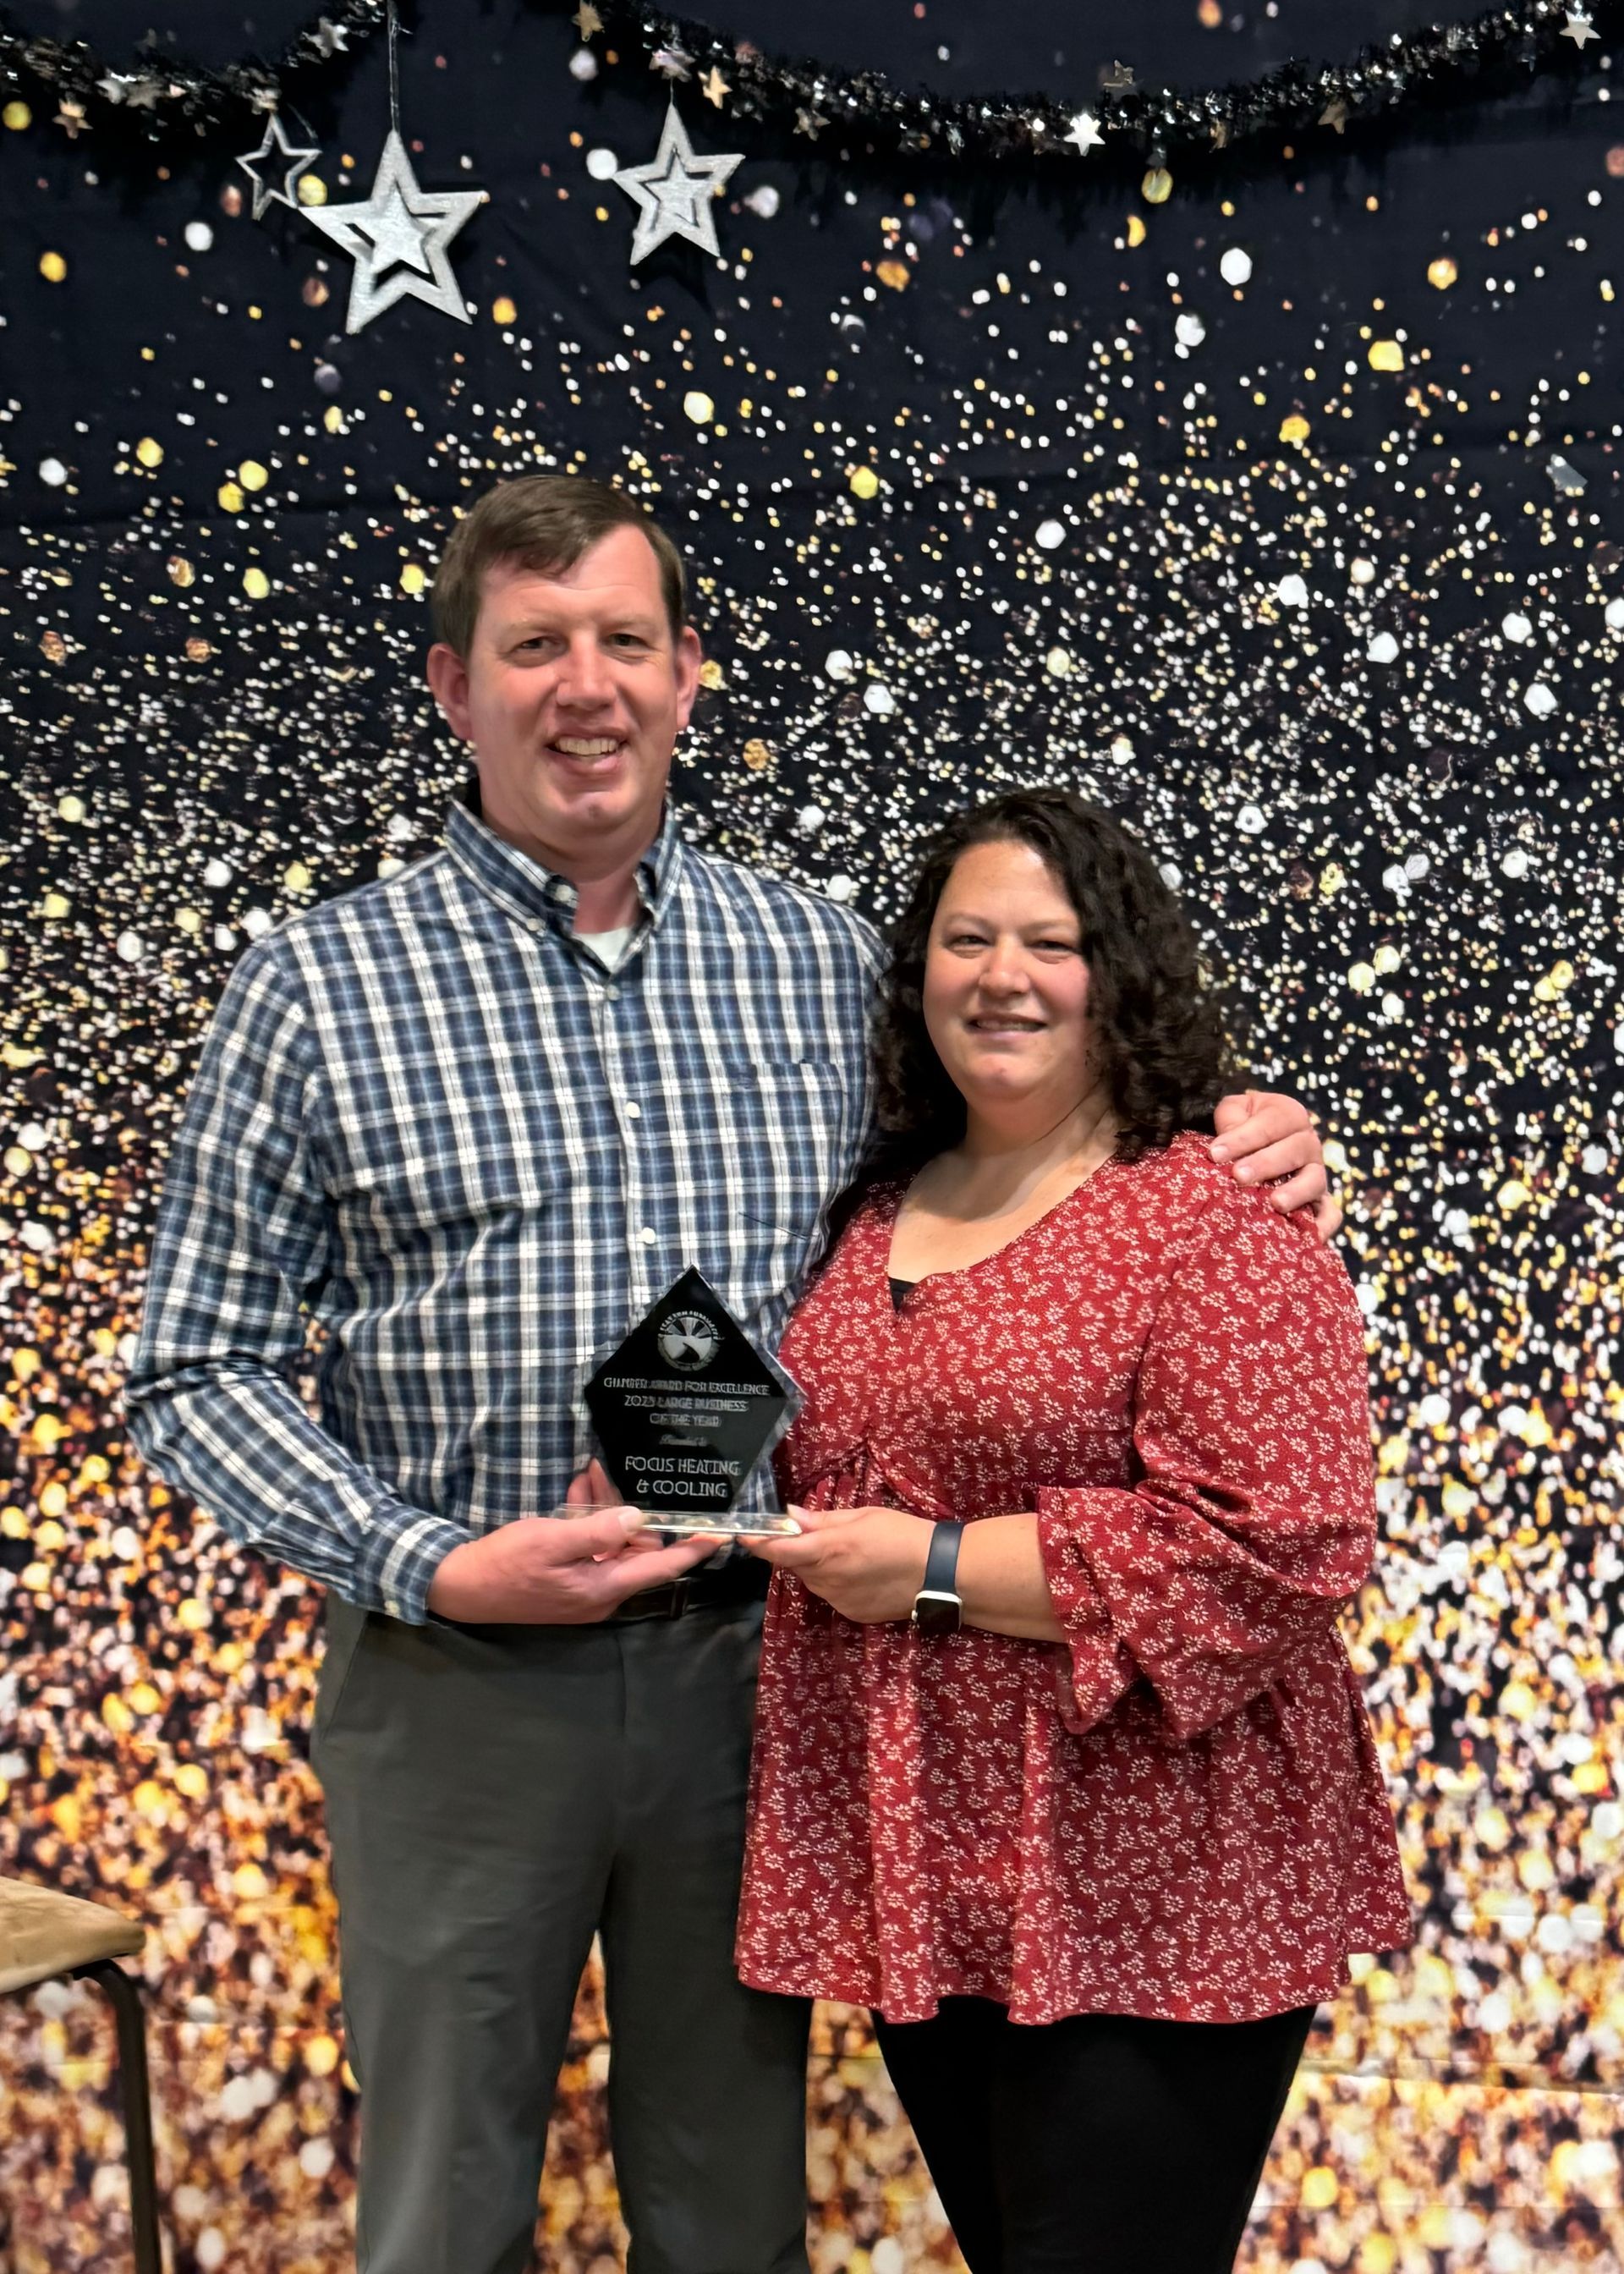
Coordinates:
[495,1798]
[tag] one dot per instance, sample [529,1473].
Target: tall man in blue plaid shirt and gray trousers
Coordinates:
[474,1122]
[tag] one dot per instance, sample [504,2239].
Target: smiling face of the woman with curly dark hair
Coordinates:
[1006,988]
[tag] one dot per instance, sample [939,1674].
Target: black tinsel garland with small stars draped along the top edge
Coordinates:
[1436,67]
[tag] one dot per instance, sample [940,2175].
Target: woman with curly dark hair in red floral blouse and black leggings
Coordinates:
[1093,1857]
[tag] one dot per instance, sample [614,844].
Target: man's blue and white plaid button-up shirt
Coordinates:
[433,1122]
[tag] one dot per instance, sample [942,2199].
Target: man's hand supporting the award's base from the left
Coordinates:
[556,1570]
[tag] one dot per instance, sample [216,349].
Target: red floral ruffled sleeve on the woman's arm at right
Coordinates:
[1252,1520]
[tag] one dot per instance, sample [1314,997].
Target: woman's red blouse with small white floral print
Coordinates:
[1179,1811]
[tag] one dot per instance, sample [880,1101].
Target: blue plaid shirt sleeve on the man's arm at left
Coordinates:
[240,1261]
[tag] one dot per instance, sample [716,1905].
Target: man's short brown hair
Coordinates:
[542,522]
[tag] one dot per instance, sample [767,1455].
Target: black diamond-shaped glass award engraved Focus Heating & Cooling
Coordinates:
[686,1409]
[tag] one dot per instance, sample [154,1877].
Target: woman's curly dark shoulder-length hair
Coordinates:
[1163,1047]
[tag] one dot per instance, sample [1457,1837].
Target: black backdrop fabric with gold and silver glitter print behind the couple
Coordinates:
[1282,515]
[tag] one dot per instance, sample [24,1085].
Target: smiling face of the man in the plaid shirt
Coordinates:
[572,697]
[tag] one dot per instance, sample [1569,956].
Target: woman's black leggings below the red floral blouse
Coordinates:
[1095,2146]
